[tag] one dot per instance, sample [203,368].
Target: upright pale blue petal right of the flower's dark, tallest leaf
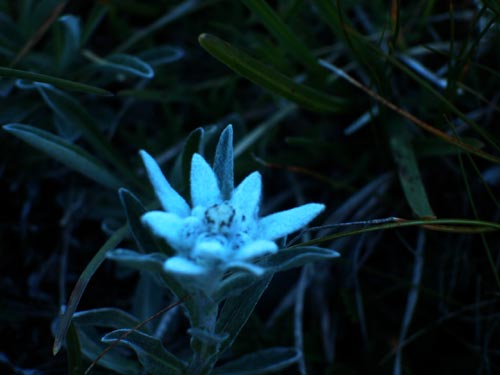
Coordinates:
[246,197]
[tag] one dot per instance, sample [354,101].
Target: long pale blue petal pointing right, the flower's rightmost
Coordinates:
[282,223]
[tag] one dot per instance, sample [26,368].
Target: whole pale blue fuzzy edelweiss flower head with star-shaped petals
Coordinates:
[221,230]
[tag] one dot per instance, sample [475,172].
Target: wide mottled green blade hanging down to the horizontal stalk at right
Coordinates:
[409,174]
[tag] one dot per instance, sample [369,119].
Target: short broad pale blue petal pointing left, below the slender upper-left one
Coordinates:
[168,226]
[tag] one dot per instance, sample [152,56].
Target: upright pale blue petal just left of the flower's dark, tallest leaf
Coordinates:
[205,190]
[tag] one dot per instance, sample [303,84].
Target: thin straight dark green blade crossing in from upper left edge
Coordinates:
[58,82]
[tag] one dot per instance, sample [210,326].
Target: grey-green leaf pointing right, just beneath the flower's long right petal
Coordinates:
[286,259]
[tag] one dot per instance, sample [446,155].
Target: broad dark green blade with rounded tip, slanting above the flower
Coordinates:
[269,78]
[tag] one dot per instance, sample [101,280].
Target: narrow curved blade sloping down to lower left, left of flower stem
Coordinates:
[81,284]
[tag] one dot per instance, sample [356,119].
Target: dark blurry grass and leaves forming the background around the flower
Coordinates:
[378,110]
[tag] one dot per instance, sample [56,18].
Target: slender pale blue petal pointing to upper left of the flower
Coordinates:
[170,200]
